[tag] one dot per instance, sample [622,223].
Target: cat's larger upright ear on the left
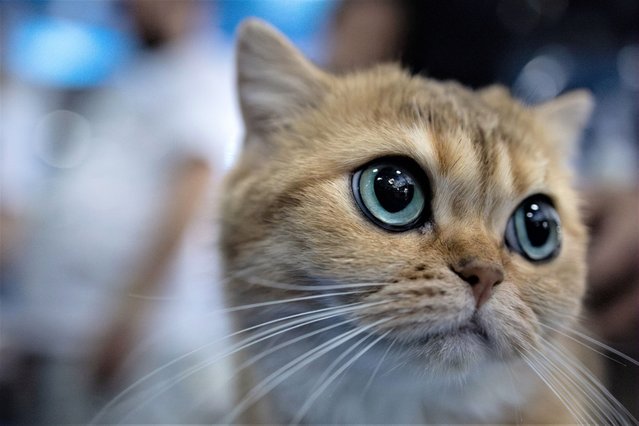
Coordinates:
[275,81]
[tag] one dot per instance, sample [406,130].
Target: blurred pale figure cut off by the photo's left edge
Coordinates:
[22,176]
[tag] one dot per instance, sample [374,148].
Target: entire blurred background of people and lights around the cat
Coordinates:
[118,119]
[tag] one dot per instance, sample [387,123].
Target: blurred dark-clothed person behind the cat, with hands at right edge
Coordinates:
[579,44]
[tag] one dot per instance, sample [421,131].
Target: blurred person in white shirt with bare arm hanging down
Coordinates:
[118,274]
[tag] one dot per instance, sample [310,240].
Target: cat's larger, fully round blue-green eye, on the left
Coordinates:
[390,193]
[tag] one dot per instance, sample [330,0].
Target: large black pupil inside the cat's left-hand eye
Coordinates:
[394,189]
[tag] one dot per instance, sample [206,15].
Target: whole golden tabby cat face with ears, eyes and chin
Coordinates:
[445,215]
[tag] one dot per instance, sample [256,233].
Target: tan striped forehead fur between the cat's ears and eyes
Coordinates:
[454,133]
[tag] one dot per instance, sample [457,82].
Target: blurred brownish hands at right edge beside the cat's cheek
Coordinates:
[613,299]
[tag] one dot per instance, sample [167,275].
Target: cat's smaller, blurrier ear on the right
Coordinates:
[567,115]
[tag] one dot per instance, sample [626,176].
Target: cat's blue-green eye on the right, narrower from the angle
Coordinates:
[534,230]
